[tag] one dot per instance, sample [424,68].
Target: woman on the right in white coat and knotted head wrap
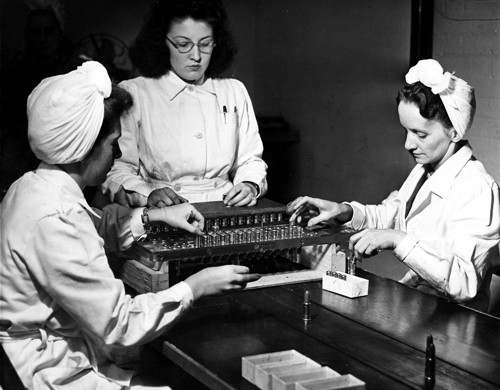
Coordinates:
[444,222]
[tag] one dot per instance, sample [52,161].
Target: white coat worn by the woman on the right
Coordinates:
[453,228]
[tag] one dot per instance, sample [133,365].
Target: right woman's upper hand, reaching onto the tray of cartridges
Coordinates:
[307,211]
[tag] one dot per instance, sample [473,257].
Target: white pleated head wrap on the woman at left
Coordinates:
[65,113]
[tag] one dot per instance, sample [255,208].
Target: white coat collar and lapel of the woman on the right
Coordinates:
[441,180]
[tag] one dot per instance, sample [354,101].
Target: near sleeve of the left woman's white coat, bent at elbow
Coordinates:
[67,258]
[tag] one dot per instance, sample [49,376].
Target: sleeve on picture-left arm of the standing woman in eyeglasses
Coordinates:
[125,172]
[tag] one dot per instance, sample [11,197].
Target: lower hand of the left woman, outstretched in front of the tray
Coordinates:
[218,280]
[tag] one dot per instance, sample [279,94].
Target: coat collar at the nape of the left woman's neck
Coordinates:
[60,179]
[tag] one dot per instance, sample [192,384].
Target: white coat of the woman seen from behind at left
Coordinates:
[60,305]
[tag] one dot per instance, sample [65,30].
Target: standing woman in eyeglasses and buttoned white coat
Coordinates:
[191,136]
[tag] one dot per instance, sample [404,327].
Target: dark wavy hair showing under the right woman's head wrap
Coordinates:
[429,104]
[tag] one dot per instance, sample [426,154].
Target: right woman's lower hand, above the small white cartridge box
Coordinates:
[371,241]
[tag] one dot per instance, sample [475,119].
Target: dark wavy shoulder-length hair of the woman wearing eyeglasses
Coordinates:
[150,54]
